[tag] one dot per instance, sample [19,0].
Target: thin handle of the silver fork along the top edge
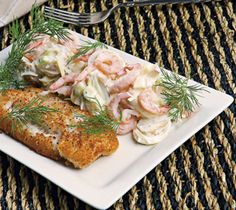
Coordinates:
[157,2]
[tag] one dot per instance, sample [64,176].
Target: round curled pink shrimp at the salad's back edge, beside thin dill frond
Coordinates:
[108,62]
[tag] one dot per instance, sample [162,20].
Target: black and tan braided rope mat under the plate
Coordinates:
[197,40]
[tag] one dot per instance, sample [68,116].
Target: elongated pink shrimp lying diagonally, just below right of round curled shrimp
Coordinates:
[124,82]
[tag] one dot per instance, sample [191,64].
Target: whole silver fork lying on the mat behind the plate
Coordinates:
[98,17]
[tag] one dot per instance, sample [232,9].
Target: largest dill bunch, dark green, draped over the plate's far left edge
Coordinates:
[9,77]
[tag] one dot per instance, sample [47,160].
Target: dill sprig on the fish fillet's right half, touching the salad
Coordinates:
[100,122]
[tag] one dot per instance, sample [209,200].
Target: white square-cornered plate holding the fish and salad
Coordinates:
[106,180]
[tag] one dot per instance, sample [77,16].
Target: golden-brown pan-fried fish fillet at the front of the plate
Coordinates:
[57,140]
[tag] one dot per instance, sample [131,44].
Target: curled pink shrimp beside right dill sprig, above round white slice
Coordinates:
[146,100]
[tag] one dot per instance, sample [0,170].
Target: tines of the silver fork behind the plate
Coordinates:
[66,16]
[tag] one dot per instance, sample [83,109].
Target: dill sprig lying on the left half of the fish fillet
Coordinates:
[32,112]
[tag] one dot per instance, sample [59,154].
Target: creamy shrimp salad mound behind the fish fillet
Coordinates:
[101,78]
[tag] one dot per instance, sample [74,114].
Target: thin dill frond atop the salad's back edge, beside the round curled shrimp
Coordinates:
[84,49]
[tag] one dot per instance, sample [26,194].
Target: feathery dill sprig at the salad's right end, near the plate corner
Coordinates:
[178,95]
